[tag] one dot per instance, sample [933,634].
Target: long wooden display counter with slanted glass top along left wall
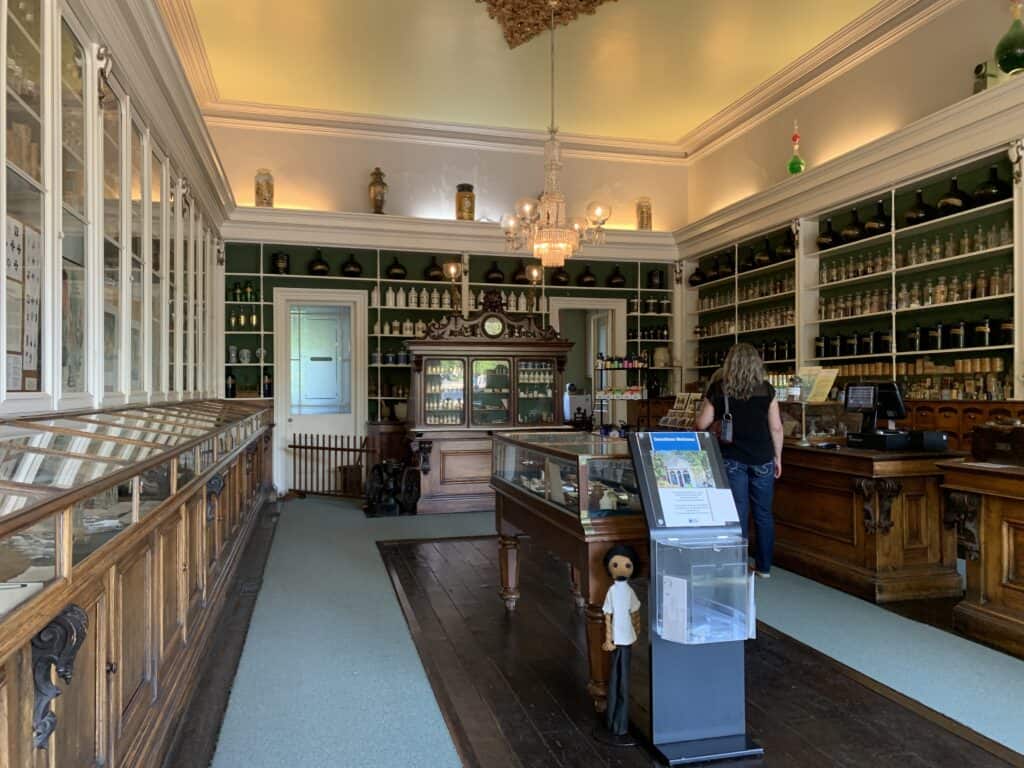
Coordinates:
[134,567]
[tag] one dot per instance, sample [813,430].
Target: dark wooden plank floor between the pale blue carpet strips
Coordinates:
[513,688]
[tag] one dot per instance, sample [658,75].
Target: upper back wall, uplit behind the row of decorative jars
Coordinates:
[330,173]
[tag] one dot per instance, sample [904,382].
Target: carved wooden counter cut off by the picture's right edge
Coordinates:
[986,502]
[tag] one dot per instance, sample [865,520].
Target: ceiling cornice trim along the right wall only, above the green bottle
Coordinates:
[882,26]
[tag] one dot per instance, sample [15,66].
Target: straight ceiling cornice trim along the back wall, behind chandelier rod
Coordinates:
[302,120]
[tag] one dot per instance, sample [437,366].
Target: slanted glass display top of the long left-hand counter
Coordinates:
[80,457]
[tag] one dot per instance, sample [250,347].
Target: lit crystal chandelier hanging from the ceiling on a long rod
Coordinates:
[542,226]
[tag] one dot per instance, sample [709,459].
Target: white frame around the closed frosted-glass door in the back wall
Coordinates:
[283,298]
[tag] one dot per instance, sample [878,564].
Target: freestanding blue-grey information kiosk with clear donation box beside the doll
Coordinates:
[701,606]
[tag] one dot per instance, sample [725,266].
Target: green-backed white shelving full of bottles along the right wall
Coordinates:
[898,362]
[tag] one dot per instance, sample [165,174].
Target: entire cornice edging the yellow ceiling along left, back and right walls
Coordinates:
[885,24]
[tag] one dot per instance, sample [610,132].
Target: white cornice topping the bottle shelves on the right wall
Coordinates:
[973,127]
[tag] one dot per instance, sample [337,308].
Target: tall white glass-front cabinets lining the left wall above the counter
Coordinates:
[91,285]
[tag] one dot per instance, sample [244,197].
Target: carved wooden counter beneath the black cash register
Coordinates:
[869,523]
